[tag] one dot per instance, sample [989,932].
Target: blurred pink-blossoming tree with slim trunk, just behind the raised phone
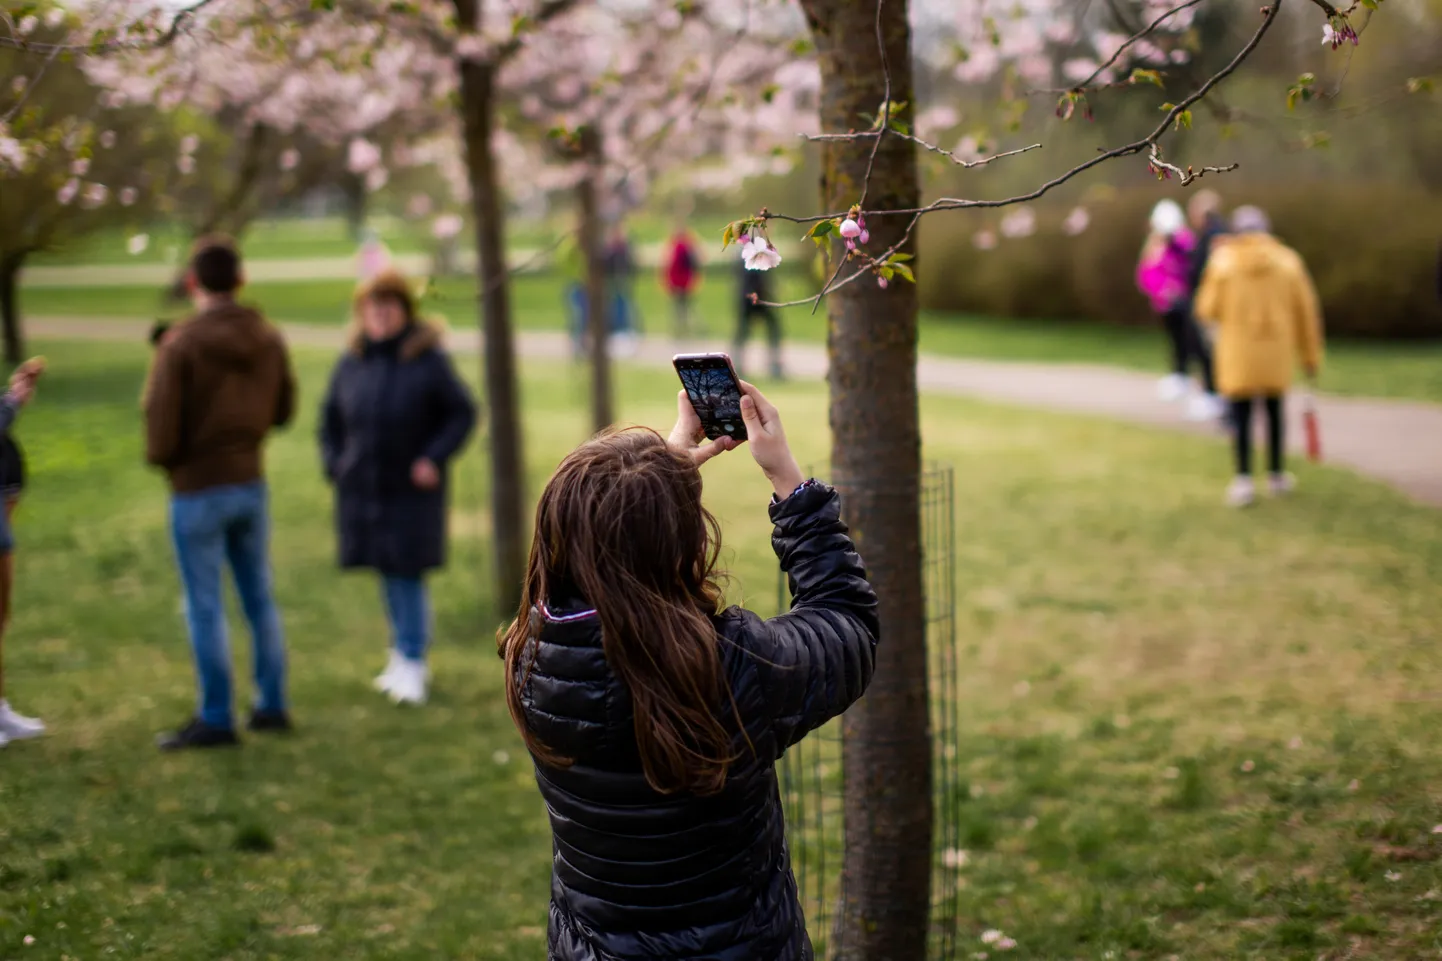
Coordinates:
[627,97]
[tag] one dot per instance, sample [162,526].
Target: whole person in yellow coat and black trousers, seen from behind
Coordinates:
[1264,307]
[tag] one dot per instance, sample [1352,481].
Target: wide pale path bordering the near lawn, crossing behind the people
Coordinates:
[1397,442]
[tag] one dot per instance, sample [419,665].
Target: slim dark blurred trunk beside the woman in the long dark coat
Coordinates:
[478,95]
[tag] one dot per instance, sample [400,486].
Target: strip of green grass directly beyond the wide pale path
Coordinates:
[1410,372]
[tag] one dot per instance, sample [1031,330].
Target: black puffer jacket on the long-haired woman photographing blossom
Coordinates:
[640,875]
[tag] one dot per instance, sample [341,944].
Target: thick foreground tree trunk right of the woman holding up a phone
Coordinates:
[877,465]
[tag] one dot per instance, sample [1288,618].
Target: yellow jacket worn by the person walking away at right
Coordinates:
[1260,297]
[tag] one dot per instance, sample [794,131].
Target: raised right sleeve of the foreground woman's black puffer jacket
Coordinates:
[815,662]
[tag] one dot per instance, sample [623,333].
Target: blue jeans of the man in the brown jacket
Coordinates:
[210,529]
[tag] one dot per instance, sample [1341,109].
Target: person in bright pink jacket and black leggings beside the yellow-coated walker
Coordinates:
[1163,276]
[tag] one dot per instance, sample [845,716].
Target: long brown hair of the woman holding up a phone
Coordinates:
[622,526]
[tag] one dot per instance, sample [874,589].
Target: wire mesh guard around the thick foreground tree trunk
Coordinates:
[811,773]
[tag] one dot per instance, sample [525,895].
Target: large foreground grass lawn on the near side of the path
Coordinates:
[1185,732]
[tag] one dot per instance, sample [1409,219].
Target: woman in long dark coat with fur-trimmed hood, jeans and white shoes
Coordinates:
[393,419]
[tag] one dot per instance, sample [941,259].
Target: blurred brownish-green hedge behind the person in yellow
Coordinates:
[1372,249]
